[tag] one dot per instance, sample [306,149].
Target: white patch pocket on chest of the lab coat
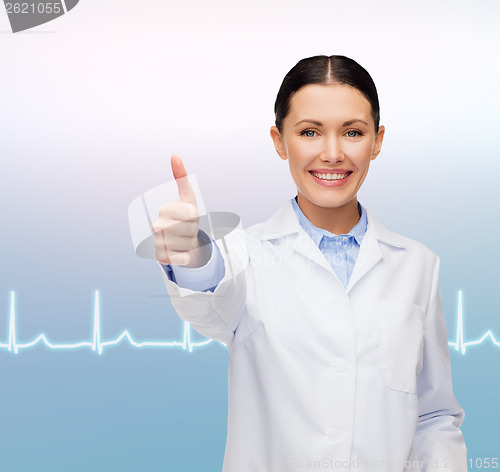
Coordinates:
[402,333]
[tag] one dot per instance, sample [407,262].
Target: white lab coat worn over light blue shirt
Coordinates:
[323,377]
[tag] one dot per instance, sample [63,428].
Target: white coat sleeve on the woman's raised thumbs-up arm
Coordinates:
[216,314]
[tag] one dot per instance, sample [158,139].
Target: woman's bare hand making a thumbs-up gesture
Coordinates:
[176,237]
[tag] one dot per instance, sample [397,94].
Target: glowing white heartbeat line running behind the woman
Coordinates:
[97,344]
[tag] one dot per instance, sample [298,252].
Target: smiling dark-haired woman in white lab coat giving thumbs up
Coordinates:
[338,348]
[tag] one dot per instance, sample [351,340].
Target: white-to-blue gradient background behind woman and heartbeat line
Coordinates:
[92,106]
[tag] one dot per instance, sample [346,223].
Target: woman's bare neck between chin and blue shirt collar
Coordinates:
[337,220]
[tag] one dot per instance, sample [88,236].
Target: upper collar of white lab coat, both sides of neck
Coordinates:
[284,222]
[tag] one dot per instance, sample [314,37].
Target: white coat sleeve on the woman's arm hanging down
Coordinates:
[439,442]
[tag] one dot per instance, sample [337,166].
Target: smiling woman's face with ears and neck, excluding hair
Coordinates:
[329,139]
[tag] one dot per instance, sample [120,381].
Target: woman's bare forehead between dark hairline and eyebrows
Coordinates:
[329,102]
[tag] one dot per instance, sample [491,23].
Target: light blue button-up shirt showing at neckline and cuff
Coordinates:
[340,251]
